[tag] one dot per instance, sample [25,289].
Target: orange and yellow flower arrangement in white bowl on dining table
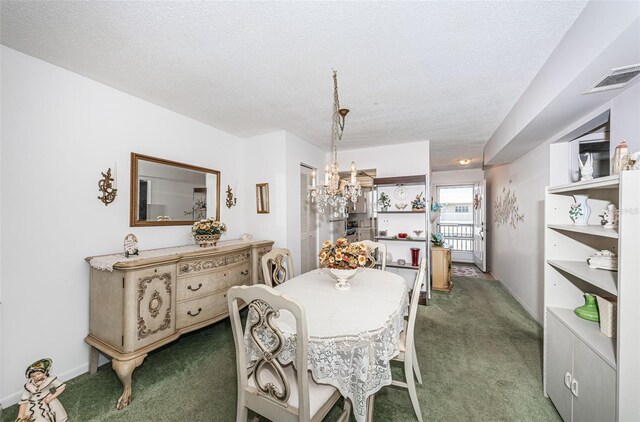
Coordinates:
[343,259]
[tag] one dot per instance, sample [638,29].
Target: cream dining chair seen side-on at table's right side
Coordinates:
[408,353]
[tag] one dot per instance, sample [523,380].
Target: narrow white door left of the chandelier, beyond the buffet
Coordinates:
[308,225]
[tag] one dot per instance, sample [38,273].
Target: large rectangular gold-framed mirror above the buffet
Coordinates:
[169,193]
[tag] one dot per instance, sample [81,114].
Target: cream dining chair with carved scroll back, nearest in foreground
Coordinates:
[276,391]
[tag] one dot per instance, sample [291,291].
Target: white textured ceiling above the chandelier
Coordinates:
[448,72]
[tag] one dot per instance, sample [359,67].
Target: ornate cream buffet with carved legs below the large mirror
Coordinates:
[140,303]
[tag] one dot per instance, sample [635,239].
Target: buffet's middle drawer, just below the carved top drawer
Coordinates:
[210,282]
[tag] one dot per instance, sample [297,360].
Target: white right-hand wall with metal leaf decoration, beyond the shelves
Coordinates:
[516,256]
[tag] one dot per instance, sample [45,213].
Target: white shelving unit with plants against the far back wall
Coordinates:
[403,189]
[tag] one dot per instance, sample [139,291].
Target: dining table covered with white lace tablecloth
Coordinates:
[352,334]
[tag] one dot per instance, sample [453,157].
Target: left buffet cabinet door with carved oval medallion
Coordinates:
[151,297]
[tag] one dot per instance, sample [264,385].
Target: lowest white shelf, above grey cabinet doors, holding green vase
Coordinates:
[589,333]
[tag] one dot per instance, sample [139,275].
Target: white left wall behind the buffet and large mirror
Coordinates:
[60,130]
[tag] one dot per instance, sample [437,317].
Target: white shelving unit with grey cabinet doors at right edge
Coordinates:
[588,375]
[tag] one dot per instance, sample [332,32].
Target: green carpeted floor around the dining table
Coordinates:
[479,352]
